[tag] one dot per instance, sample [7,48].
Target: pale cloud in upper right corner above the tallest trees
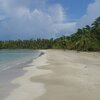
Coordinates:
[93,11]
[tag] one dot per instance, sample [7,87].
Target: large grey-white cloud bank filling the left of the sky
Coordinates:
[25,19]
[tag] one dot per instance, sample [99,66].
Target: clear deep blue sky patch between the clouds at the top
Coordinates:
[75,8]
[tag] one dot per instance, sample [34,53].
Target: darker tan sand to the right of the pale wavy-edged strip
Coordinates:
[75,76]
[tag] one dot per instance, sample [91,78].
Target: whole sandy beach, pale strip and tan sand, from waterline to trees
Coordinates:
[60,75]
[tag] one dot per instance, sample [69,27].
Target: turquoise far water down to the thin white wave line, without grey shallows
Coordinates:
[13,58]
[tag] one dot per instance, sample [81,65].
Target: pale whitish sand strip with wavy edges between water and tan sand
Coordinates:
[29,90]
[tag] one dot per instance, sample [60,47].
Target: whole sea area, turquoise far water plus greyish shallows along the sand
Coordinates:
[11,65]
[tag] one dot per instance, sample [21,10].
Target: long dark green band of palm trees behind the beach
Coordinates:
[85,39]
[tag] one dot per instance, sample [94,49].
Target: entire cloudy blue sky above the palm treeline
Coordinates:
[31,19]
